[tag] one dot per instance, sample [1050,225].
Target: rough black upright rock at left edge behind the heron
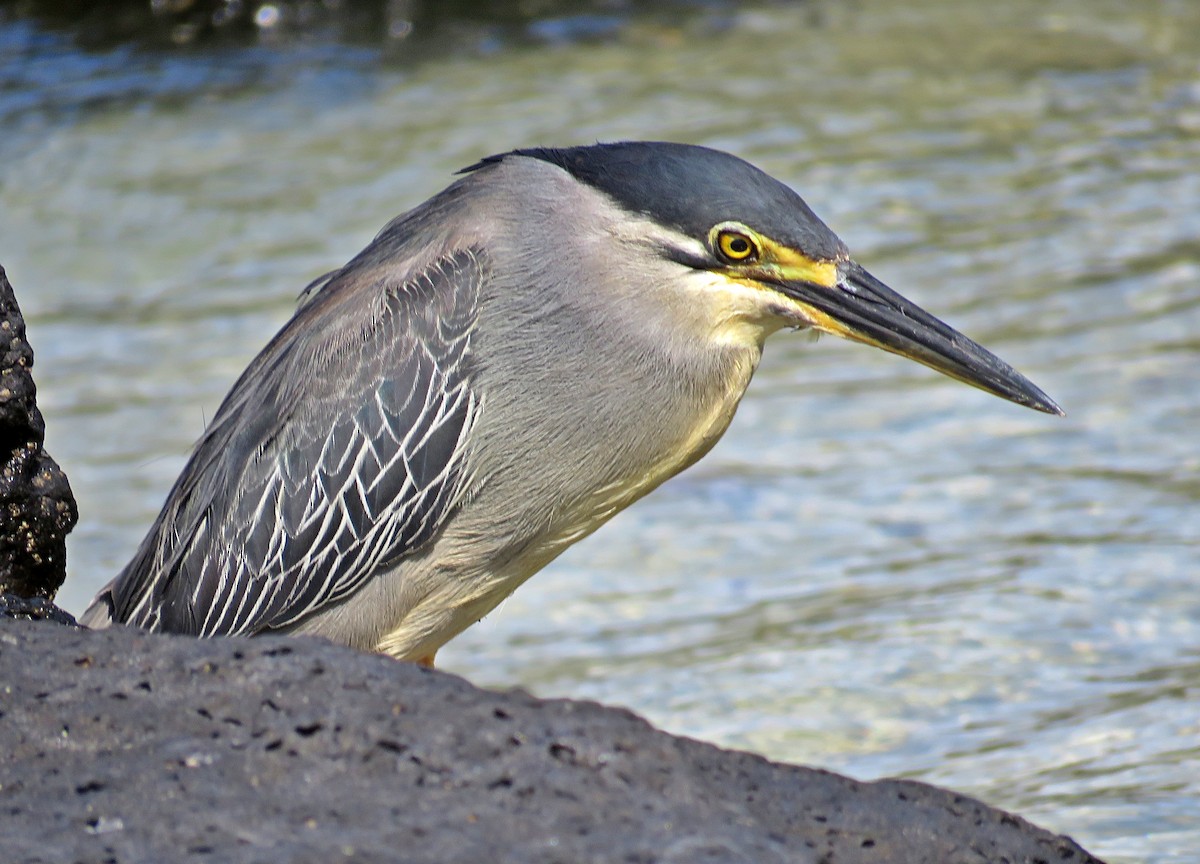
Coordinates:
[37,507]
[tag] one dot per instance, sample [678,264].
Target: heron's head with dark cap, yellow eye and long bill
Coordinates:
[757,259]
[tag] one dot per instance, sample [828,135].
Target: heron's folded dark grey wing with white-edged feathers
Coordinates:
[332,459]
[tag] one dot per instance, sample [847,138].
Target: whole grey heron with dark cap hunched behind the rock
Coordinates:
[496,375]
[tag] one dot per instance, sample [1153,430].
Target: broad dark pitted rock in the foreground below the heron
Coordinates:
[122,747]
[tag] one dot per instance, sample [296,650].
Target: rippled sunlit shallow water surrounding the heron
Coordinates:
[878,571]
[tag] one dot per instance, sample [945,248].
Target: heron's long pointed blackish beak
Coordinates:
[862,309]
